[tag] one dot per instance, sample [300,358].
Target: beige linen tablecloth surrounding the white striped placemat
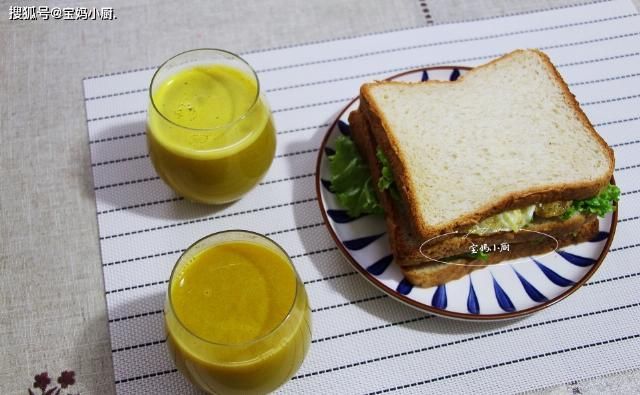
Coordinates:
[52,304]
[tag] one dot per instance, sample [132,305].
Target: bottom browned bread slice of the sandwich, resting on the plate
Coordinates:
[430,274]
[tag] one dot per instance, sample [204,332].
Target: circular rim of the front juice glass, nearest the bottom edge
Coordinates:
[257,339]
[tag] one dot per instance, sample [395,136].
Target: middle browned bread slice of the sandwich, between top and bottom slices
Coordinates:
[409,249]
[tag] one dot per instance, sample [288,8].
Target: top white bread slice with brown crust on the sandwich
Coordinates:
[506,135]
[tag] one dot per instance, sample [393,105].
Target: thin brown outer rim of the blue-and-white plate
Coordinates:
[412,302]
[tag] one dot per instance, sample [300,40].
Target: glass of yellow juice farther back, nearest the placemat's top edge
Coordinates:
[209,130]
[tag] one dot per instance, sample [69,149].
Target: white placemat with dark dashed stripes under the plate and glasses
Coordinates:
[364,341]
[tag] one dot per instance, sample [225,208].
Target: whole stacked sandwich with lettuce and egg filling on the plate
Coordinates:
[500,164]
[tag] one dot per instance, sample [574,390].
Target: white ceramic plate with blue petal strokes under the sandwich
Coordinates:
[507,290]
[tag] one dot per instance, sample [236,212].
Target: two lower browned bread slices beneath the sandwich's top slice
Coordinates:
[450,258]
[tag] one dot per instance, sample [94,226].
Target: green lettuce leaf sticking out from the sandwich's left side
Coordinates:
[351,180]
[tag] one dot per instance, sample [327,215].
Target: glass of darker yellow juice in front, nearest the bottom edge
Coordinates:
[236,315]
